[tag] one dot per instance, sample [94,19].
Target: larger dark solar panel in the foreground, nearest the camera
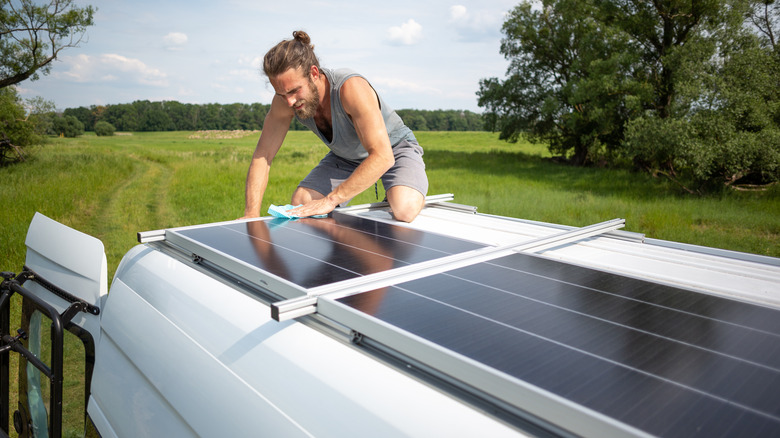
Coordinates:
[668,361]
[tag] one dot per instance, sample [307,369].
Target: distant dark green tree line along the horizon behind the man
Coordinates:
[144,115]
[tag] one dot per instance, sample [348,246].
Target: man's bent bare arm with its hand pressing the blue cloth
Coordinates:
[362,105]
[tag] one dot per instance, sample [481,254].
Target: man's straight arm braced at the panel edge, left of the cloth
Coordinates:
[275,127]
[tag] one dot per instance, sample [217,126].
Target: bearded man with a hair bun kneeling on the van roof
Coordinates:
[368,140]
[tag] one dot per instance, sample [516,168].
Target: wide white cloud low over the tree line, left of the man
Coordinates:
[110,67]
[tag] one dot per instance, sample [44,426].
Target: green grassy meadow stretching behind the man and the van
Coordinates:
[113,187]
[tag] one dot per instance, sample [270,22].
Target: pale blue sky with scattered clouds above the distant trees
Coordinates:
[421,54]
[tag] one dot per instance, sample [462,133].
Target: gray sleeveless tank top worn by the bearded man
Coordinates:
[345,142]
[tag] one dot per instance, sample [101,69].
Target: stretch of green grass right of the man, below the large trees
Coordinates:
[518,180]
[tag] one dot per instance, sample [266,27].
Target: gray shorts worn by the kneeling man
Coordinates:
[408,170]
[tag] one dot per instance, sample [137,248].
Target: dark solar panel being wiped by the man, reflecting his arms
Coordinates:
[316,252]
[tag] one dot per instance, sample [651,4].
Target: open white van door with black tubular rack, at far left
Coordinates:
[62,288]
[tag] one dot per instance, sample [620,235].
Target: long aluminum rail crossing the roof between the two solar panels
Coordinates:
[296,307]
